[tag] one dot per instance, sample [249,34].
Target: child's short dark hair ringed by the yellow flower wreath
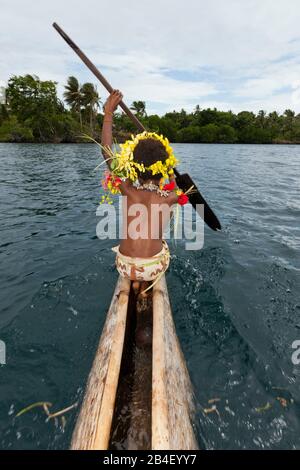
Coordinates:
[149,151]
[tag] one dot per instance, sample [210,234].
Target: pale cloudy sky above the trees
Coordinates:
[230,54]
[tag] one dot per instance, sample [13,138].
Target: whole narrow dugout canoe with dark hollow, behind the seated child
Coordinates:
[162,411]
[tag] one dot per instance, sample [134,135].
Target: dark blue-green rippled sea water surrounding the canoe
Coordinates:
[235,302]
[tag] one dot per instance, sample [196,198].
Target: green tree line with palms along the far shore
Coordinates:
[33,112]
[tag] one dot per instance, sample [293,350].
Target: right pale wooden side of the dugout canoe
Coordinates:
[172,394]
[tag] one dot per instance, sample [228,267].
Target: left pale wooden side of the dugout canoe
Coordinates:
[92,430]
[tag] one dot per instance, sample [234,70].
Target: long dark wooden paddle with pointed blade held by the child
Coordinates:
[184,181]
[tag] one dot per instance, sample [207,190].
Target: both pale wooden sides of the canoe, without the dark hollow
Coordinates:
[172,397]
